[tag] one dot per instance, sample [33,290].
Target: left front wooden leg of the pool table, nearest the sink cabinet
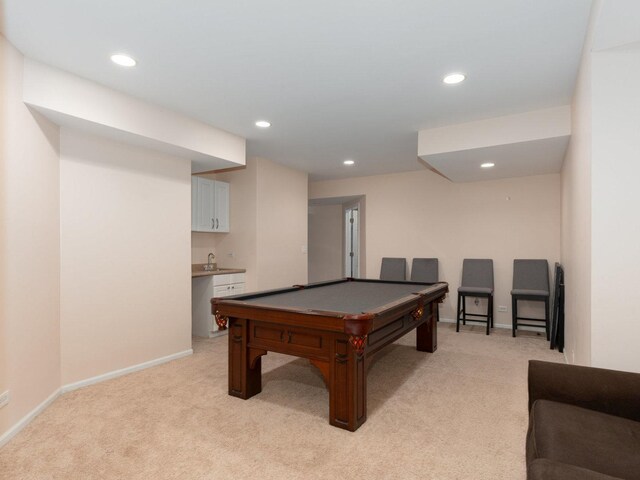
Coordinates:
[245,364]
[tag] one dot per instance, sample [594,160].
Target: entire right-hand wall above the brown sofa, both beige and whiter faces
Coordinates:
[601,230]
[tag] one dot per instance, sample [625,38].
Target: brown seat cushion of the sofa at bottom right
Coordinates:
[584,438]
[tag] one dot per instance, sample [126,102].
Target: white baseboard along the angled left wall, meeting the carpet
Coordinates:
[24,421]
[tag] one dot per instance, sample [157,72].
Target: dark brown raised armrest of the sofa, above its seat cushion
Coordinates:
[608,391]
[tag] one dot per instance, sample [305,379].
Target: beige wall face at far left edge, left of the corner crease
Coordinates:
[30,265]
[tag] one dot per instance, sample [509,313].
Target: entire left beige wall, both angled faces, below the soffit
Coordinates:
[95,251]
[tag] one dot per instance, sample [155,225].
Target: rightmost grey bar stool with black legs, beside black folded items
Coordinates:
[530,282]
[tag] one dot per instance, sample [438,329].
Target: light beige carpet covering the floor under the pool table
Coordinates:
[460,413]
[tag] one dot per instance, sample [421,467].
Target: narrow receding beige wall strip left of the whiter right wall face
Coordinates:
[576,219]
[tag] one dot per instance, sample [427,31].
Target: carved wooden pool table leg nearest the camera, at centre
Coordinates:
[347,385]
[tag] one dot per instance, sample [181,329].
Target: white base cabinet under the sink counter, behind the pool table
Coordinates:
[203,289]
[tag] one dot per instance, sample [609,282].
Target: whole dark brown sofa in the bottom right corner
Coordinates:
[584,423]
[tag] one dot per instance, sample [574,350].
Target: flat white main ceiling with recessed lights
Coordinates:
[337,79]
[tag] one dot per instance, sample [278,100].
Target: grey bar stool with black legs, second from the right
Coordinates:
[477,281]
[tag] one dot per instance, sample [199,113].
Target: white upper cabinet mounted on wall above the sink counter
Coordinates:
[209,205]
